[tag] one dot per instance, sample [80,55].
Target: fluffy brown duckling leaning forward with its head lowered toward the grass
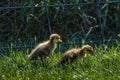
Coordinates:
[73,54]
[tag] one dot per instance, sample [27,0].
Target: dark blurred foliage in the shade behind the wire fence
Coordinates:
[27,23]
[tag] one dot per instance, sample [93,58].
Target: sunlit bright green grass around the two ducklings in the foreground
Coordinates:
[101,66]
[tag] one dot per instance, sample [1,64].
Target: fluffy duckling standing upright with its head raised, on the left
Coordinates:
[43,50]
